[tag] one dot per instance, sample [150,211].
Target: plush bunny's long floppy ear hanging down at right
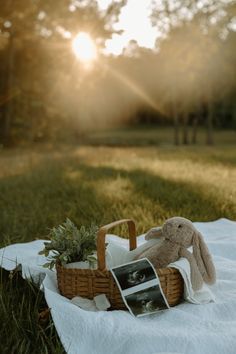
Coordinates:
[203,259]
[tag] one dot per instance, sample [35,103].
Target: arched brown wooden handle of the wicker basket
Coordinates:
[101,239]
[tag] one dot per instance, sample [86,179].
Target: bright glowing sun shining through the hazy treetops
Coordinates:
[84,48]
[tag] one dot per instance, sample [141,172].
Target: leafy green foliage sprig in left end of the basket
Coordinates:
[70,244]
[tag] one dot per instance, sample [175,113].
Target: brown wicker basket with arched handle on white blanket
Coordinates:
[91,282]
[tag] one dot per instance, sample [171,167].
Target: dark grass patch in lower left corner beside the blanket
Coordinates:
[22,329]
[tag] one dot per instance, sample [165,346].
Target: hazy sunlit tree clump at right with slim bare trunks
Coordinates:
[181,22]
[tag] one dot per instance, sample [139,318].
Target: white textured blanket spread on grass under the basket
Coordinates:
[186,328]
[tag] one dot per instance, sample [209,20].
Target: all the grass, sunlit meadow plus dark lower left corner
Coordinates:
[42,186]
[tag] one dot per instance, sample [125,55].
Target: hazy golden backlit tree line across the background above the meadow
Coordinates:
[188,80]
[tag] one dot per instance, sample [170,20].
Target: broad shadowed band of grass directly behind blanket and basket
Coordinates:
[44,197]
